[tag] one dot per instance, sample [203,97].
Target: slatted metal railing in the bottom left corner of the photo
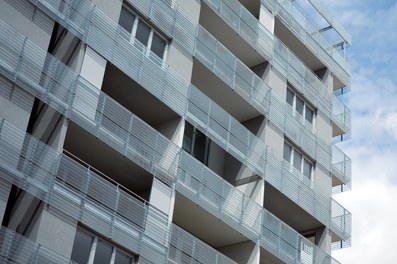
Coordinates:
[15,248]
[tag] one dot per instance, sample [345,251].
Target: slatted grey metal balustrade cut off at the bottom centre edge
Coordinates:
[185,248]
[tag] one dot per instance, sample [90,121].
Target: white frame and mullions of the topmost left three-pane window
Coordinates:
[148,47]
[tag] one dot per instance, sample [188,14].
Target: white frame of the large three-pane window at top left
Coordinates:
[132,35]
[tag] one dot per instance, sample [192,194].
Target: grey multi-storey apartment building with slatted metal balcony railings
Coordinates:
[172,131]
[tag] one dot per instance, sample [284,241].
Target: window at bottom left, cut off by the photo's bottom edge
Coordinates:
[88,248]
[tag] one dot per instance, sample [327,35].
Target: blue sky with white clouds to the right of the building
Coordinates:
[373,148]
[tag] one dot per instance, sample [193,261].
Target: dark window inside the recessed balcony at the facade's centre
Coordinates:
[196,143]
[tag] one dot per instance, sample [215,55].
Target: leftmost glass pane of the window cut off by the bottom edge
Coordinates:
[81,247]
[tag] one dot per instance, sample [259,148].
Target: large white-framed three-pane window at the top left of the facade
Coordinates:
[147,37]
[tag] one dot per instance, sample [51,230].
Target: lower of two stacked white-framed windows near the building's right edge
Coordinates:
[298,160]
